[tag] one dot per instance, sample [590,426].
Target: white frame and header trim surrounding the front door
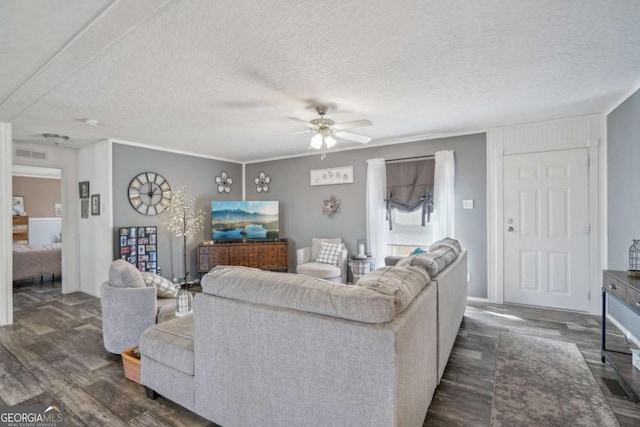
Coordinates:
[576,132]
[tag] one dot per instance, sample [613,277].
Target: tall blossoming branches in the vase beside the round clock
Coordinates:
[184,220]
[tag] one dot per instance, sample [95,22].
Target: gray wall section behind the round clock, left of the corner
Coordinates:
[196,173]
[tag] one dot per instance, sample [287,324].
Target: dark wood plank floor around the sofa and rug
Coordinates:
[53,355]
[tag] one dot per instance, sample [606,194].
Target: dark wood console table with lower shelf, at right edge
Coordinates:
[626,289]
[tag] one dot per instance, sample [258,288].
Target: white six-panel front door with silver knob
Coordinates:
[546,237]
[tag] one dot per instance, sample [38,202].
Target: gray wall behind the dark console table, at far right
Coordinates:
[623,203]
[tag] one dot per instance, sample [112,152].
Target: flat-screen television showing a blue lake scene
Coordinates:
[238,220]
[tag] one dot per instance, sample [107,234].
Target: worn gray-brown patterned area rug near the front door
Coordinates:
[542,382]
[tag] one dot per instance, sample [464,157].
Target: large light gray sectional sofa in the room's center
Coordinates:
[279,349]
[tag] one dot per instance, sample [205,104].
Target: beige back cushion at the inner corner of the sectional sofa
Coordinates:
[404,284]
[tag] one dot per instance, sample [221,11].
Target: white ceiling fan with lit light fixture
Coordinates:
[324,131]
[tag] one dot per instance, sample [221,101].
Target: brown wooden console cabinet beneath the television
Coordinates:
[267,255]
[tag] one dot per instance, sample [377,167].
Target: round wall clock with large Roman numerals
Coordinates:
[149,193]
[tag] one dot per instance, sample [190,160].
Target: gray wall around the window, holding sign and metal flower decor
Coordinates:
[301,216]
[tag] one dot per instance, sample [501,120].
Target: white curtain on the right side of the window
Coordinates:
[443,196]
